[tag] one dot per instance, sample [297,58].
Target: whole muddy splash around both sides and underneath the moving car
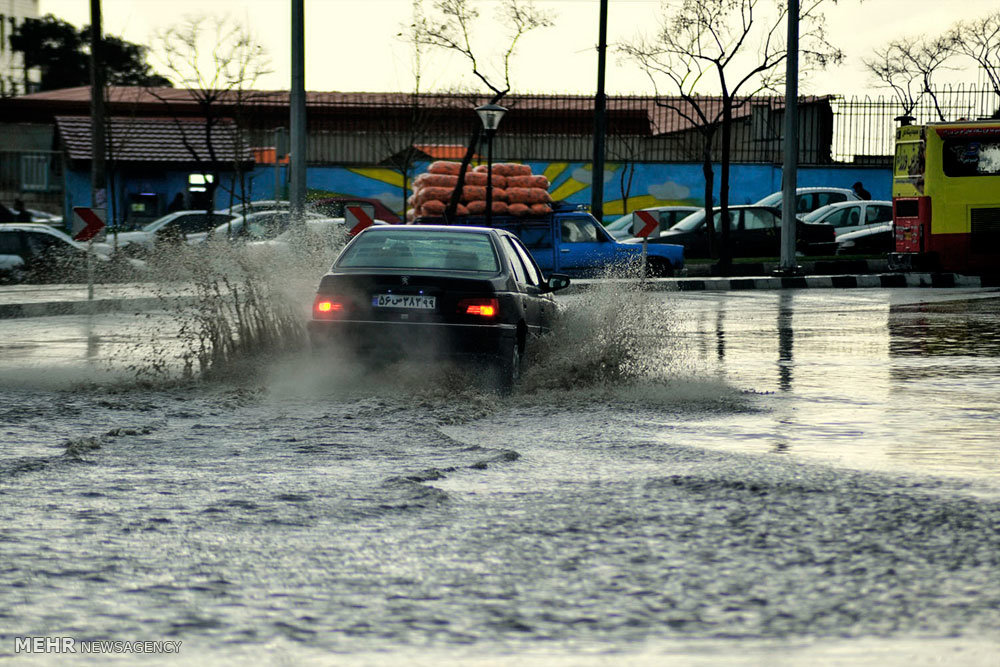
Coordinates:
[243,309]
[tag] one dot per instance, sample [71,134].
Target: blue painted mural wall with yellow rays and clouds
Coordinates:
[651,184]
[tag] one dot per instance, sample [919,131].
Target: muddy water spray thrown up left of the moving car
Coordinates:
[231,305]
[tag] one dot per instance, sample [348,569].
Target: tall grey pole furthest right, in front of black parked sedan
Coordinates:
[790,167]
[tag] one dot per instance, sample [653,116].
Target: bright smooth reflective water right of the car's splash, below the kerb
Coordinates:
[884,379]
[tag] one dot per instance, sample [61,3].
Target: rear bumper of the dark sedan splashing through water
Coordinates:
[413,339]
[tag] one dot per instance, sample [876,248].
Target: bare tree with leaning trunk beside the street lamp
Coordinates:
[451,27]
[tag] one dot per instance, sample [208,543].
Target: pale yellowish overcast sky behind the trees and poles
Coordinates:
[351,45]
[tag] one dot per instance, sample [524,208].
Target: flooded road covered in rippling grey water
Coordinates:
[800,477]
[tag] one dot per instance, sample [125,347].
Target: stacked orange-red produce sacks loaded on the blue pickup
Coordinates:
[516,191]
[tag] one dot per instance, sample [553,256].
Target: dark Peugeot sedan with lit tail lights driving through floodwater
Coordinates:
[466,292]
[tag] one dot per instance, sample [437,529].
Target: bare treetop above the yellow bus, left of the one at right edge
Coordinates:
[908,66]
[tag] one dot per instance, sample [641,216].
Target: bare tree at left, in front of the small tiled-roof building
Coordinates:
[217,60]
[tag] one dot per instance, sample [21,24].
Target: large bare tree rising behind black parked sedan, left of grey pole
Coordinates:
[736,47]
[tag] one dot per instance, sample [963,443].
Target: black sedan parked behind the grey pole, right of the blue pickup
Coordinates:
[754,231]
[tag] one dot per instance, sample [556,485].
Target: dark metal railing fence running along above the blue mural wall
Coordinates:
[371,129]
